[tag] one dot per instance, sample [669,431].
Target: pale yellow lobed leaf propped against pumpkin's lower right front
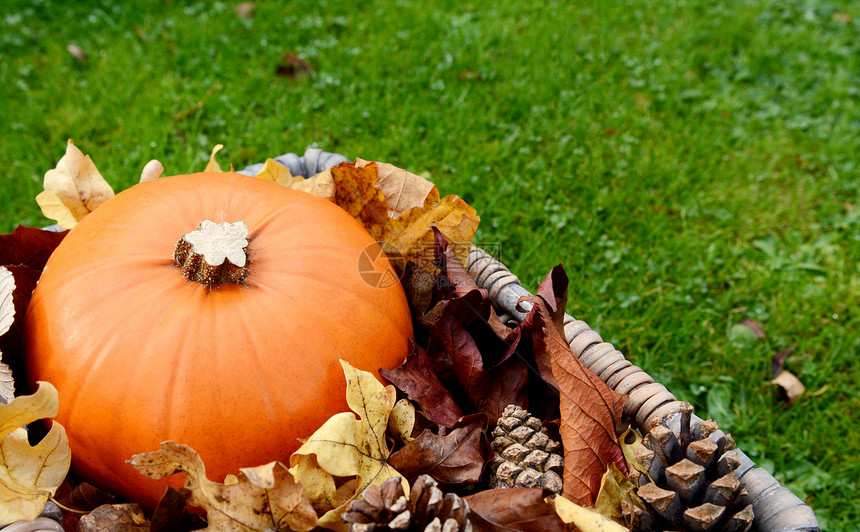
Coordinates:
[347,447]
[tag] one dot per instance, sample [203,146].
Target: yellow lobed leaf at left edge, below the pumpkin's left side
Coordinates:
[30,475]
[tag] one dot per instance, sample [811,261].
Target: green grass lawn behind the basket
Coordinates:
[691,163]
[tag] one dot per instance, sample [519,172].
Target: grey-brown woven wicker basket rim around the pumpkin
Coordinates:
[776,508]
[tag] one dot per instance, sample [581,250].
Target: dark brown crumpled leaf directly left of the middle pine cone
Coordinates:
[455,457]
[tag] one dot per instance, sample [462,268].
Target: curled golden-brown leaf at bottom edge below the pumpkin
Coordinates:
[261,498]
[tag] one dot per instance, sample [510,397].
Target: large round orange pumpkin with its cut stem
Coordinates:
[237,360]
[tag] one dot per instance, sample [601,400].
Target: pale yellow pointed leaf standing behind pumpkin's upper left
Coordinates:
[73,189]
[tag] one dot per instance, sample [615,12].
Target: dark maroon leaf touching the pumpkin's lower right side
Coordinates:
[417,378]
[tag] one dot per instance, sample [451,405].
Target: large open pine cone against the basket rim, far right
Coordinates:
[694,485]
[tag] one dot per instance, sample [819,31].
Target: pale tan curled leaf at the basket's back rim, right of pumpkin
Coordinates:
[402,189]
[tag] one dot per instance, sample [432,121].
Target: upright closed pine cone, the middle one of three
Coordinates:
[525,456]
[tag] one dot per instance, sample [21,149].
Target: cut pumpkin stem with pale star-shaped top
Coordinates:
[214,253]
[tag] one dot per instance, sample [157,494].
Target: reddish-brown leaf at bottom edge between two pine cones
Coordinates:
[513,509]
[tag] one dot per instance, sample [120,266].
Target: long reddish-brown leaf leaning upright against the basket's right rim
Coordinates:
[589,408]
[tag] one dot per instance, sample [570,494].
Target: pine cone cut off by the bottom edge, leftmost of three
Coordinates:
[427,509]
